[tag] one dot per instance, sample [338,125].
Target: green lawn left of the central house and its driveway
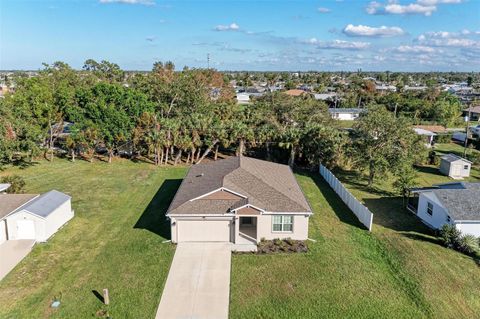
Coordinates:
[114,241]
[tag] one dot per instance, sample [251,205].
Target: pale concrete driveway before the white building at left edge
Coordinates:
[12,252]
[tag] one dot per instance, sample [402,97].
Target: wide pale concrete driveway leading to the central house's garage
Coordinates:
[198,283]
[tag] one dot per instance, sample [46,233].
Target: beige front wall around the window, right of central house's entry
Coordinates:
[300,228]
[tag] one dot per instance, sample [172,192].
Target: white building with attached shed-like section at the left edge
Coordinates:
[33,216]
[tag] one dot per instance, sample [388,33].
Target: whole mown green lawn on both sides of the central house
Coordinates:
[115,241]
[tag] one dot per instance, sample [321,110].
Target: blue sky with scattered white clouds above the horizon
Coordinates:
[403,35]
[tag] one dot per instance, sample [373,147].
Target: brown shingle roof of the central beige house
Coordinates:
[269,186]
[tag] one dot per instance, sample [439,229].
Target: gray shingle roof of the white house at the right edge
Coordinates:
[461,203]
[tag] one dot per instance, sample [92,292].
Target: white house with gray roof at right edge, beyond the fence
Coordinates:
[453,203]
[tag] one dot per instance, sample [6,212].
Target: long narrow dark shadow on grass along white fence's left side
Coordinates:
[341,210]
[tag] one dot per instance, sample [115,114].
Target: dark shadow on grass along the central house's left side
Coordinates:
[153,218]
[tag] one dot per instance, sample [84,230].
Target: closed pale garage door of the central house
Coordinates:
[203,230]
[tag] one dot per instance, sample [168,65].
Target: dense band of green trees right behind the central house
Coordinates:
[167,116]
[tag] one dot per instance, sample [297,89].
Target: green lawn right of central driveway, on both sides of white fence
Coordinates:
[398,271]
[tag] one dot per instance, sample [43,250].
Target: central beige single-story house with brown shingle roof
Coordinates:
[239,200]
